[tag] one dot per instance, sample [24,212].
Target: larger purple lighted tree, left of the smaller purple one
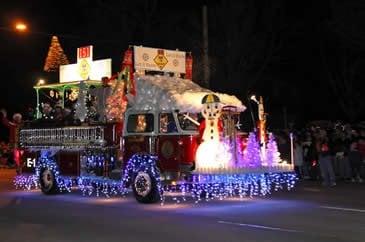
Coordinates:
[252,156]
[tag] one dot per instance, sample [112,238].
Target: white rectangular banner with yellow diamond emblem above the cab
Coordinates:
[152,59]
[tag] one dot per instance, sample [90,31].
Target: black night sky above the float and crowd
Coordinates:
[291,49]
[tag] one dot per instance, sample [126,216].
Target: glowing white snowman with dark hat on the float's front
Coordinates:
[211,155]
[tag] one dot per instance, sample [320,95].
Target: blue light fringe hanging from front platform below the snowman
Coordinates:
[209,187]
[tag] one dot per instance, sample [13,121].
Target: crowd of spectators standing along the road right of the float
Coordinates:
[328,153]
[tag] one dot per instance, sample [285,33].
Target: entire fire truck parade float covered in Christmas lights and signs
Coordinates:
[149,130]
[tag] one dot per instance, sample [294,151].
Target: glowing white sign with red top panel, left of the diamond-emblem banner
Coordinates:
[86,68]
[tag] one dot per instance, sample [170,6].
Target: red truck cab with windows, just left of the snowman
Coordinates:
[166,134]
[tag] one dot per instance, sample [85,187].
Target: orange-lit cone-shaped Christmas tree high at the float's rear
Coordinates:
[55,56]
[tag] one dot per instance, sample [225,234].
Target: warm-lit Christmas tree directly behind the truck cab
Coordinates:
[116,103]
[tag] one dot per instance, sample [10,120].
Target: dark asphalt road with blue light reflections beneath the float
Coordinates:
[308,213]
